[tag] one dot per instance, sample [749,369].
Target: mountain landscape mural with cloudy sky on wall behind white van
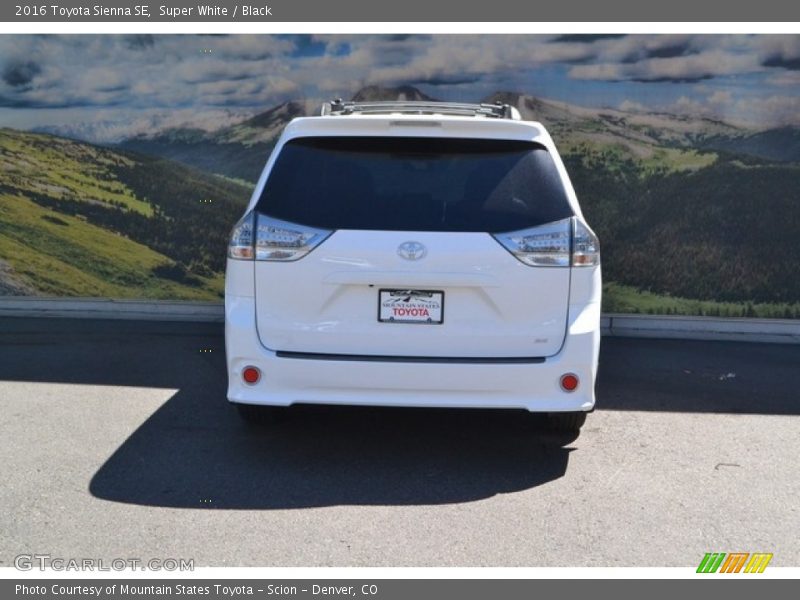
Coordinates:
[123,179]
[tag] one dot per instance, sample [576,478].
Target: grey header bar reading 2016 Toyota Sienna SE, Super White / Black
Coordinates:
[420,11]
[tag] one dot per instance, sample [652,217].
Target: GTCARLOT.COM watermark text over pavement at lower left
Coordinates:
[43,562]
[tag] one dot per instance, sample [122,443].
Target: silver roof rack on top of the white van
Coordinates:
[497,110]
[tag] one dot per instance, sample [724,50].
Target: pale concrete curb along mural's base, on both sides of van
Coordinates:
[784,331]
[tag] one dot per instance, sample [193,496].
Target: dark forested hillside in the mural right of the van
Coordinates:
[724,233]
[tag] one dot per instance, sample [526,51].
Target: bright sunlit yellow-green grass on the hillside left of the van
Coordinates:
[56,254]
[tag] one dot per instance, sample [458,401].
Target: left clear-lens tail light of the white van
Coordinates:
[263,238]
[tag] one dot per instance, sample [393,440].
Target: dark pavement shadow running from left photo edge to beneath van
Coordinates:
[195,452]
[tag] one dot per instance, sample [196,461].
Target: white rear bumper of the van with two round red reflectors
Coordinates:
[533,386]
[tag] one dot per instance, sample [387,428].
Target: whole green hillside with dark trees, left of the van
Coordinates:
[80,220]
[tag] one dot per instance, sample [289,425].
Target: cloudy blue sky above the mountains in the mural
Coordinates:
[106,88]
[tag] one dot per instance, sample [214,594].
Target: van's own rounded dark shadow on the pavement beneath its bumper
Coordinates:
[194,452]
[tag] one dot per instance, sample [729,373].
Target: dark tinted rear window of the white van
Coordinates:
[414,184]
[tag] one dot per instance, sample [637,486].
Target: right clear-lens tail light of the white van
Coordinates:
[558,244]
